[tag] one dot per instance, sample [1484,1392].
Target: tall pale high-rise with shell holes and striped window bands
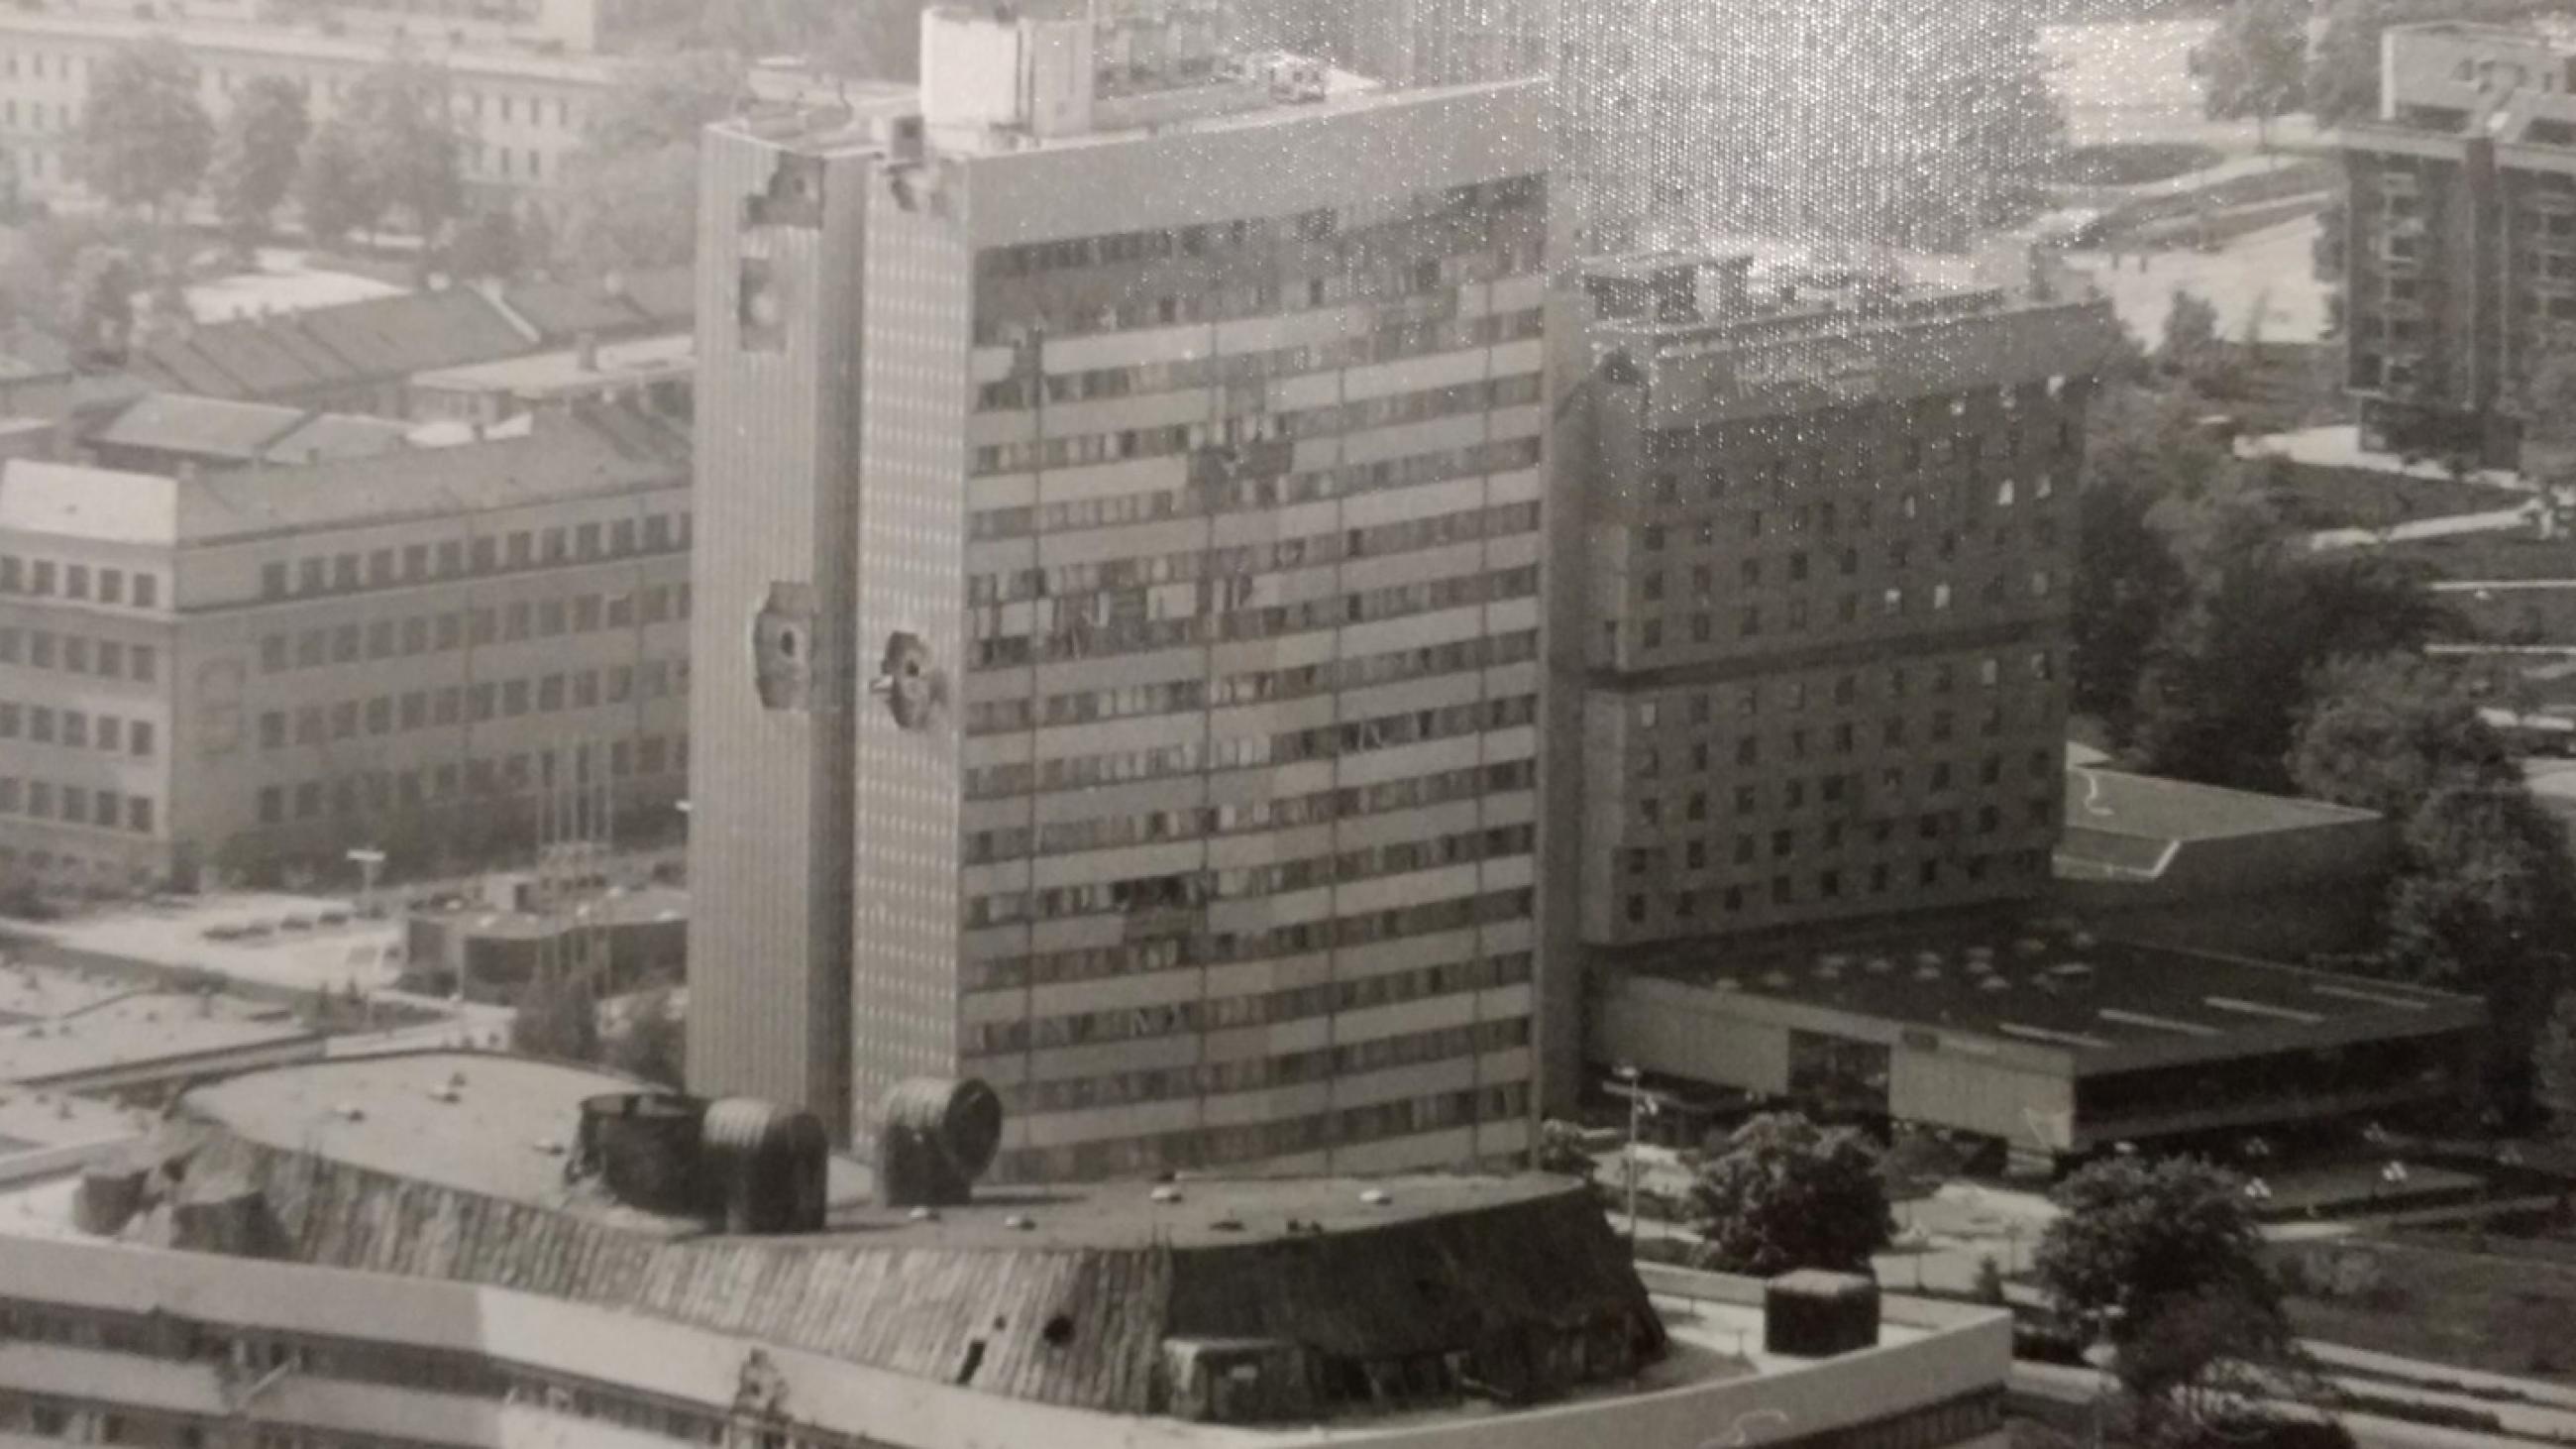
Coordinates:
[1117,666]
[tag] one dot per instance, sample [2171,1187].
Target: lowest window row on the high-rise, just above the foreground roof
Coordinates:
[1261,1141]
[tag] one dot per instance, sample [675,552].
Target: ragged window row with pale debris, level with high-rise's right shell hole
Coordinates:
[1091,636]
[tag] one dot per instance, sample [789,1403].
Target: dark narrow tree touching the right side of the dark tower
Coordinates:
[2126,587]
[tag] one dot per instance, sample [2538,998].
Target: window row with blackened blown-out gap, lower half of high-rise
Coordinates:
[1189,945]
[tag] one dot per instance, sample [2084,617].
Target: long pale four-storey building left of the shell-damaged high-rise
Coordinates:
[406,651]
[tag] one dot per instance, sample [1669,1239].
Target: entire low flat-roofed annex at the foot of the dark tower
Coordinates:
[2041,1038]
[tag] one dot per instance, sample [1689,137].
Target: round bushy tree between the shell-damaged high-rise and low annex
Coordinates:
[1789,1195]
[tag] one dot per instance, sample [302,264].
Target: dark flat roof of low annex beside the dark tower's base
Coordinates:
[2054,989]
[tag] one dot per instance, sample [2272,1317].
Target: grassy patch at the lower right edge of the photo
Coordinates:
[2456,1308]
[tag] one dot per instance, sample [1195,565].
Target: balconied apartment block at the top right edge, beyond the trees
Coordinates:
[2461,236]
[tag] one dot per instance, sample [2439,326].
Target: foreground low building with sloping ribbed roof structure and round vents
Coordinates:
[393,1249]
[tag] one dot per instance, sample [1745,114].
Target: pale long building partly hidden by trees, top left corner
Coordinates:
[522,94]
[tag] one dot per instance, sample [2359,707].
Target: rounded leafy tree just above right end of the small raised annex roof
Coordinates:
[2387,734]
